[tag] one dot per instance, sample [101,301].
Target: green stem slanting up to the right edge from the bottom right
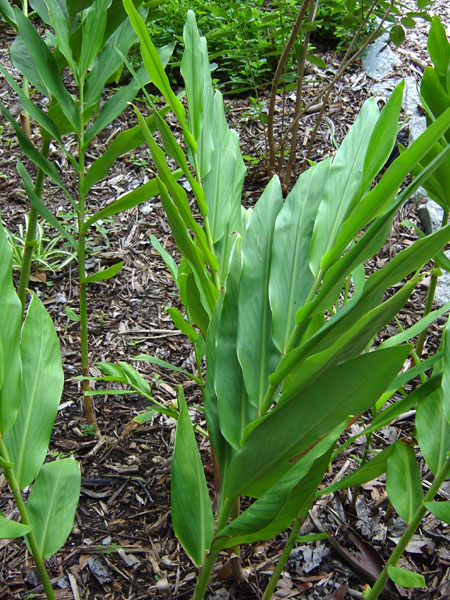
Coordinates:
[409,532]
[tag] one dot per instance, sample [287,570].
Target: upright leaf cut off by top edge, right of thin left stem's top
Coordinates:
[94,23]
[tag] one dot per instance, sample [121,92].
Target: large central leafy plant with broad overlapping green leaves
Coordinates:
[283,380]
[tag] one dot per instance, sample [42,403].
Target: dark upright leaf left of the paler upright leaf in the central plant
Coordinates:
[234,409]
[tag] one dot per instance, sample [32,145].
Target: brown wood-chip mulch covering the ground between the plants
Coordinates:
[122,544]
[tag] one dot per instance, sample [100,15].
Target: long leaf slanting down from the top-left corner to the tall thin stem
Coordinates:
[47,67]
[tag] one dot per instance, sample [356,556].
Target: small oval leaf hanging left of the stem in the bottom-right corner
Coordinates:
[403,483]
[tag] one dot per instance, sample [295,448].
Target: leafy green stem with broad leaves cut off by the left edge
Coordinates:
[30,359]
